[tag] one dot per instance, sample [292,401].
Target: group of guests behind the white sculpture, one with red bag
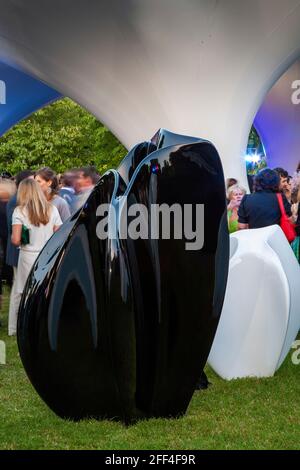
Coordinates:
[262,208]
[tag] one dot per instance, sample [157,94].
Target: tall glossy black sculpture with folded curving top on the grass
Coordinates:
[122,328]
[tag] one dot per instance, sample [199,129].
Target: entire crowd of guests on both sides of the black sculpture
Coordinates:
[34,204]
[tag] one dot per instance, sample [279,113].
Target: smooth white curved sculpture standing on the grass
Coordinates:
[261,312]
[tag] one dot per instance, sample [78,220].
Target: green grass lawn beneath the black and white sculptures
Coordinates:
[241,414]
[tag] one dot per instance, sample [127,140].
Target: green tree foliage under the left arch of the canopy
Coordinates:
[62,135]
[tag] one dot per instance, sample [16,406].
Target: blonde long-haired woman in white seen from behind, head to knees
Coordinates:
[35,213]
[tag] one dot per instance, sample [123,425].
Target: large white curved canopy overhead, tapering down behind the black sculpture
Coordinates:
[193,67]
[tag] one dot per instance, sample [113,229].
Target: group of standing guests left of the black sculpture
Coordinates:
[33,205]
